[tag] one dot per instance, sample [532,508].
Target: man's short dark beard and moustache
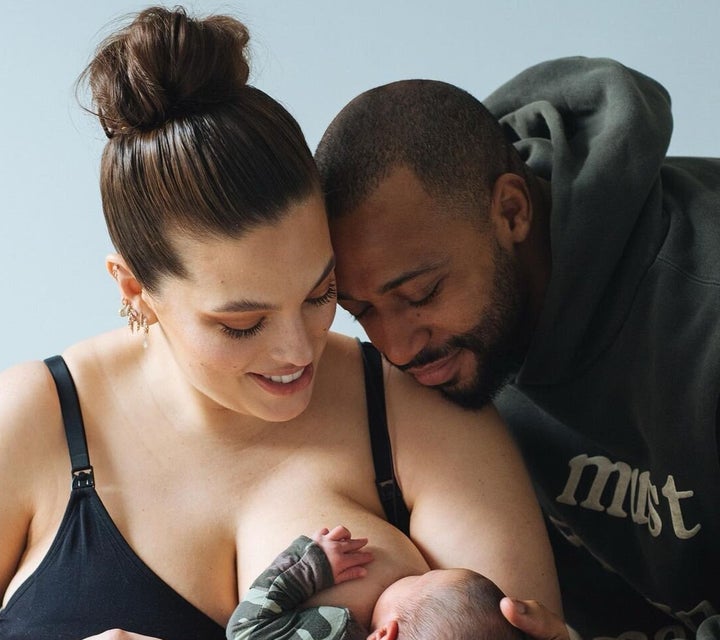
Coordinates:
[496,340]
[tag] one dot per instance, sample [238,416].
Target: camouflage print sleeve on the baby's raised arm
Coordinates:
[271,608]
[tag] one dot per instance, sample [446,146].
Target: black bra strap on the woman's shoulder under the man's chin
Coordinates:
[387,486]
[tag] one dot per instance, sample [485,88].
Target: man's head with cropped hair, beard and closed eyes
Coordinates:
[430,209]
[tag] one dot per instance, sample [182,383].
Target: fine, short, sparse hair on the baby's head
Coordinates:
[465,609]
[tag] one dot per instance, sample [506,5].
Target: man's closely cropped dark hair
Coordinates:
[442,133]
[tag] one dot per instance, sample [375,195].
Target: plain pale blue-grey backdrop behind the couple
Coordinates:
[313,56]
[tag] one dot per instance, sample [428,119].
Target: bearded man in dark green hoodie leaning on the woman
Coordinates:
[562,251]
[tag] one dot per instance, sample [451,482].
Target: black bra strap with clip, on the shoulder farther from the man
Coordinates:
[82,471]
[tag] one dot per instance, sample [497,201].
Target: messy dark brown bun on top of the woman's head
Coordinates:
[166,65]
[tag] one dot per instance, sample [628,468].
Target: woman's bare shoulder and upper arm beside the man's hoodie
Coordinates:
[472,504]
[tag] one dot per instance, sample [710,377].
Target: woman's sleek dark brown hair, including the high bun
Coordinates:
[192,147]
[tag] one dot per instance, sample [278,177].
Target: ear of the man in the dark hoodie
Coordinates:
[511,209]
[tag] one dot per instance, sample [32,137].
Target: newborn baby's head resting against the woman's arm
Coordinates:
[445,603]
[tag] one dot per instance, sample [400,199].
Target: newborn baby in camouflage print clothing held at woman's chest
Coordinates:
[444,603]
